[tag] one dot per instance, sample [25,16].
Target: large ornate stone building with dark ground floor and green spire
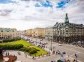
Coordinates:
[68,32]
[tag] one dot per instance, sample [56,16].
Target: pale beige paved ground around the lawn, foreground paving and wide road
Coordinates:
[69,49]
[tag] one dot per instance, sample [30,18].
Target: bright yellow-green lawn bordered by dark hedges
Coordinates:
[27,44]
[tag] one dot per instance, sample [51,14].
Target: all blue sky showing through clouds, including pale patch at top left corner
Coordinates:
[46,3]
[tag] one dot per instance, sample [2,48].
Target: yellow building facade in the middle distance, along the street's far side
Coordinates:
[37,32]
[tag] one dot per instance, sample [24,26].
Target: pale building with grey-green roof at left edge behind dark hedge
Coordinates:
[6,33]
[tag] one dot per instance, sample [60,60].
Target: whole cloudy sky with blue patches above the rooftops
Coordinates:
[28,14]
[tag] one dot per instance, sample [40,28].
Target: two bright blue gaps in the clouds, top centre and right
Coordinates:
[47,3]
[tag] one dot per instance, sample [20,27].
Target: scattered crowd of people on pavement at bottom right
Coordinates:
[64,59]
